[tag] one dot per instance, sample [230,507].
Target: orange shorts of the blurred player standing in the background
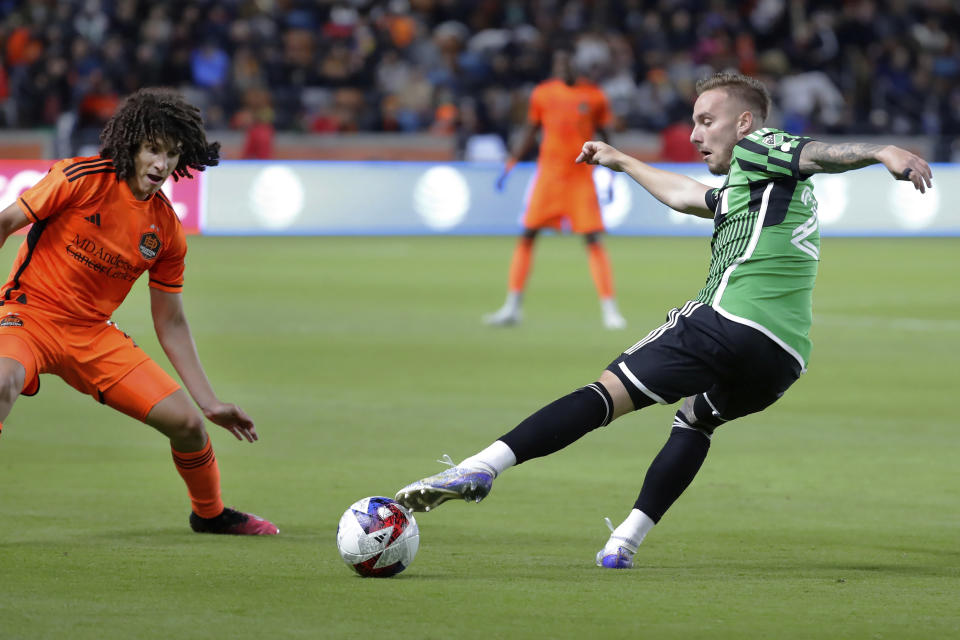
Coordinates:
[568,196]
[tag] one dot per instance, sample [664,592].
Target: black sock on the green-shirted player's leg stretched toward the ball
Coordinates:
[560,423]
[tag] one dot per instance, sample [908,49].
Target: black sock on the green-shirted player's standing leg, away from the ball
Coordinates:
[672,471]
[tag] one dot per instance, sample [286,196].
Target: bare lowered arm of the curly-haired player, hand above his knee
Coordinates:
[175,337]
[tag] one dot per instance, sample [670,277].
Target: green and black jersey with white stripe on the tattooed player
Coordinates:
[766,241]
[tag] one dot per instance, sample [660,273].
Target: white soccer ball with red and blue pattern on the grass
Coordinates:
[377,537]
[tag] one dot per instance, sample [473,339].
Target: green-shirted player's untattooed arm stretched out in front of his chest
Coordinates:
[672,189]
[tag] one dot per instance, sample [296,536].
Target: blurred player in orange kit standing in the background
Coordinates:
[568,110]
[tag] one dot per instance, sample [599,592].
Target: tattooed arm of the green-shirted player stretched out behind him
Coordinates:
[820,157]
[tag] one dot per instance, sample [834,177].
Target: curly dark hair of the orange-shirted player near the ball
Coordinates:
[157,115]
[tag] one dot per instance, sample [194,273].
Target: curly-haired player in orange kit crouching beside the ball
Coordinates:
[99,223]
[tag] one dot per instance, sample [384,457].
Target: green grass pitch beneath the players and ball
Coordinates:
[831,515]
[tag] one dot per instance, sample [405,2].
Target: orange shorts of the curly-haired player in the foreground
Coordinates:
[99,360]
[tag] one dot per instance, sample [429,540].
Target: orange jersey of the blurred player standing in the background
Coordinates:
[569,117]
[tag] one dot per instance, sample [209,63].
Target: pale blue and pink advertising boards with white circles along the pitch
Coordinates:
[404,198]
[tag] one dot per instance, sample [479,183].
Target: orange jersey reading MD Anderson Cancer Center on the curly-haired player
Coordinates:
[90,240]
